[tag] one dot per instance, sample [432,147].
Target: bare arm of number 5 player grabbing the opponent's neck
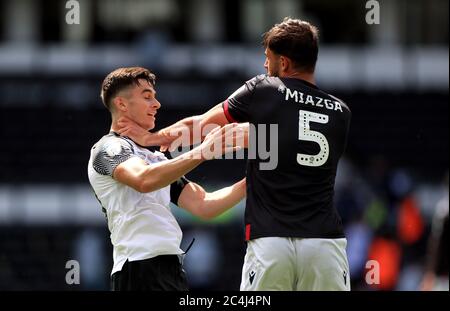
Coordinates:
[213,117]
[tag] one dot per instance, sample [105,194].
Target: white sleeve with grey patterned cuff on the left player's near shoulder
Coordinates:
[110,154]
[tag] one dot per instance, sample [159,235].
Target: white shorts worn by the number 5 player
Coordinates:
[290,264]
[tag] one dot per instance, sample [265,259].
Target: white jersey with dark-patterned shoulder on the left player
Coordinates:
[141,224]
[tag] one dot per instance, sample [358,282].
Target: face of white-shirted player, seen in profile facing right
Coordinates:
[142,104]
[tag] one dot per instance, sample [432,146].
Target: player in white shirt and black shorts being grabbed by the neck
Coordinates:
[135,187]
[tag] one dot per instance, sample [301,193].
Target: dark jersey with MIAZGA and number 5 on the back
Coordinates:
[295,199]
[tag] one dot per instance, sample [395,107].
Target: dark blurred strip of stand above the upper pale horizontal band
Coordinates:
[402,22]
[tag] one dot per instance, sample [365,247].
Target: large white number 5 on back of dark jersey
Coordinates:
[305,134]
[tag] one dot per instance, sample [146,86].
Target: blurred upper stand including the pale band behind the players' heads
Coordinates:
[213,38]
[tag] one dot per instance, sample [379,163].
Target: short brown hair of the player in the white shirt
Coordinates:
[122,78]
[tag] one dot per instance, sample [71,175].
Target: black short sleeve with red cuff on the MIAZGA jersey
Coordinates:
[237,106]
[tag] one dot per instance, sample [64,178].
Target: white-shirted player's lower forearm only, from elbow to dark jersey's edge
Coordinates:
[218,202]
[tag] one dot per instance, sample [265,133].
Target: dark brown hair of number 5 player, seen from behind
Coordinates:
[295,39]
